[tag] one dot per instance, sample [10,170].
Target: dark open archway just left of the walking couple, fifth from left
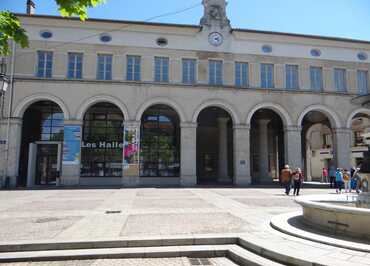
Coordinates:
[267,146]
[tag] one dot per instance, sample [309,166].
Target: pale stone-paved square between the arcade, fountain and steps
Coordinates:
[94,214]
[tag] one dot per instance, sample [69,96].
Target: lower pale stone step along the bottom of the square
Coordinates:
[232,252]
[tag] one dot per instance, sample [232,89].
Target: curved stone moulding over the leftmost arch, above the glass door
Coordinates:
[28,101]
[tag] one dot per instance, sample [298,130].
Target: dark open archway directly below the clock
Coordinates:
[214,146]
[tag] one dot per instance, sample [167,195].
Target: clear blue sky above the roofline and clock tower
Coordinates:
[337,18]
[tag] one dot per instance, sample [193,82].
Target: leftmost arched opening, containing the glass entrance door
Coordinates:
[41,146]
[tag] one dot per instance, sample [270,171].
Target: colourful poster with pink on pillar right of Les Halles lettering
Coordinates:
[131,151]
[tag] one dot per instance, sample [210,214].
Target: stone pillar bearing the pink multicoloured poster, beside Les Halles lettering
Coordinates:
[131,150]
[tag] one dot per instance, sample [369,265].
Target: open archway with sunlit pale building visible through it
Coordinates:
[317,144]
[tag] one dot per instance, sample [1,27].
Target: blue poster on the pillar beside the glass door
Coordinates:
[72,145]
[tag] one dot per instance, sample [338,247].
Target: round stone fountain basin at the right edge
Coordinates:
[330,213]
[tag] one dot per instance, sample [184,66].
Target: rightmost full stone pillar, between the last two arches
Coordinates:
[342,147]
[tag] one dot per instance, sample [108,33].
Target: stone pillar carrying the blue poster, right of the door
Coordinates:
[71,159]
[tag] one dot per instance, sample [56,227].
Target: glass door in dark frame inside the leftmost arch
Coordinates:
[47,164]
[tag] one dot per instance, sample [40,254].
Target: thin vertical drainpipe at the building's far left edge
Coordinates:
[11,94]
